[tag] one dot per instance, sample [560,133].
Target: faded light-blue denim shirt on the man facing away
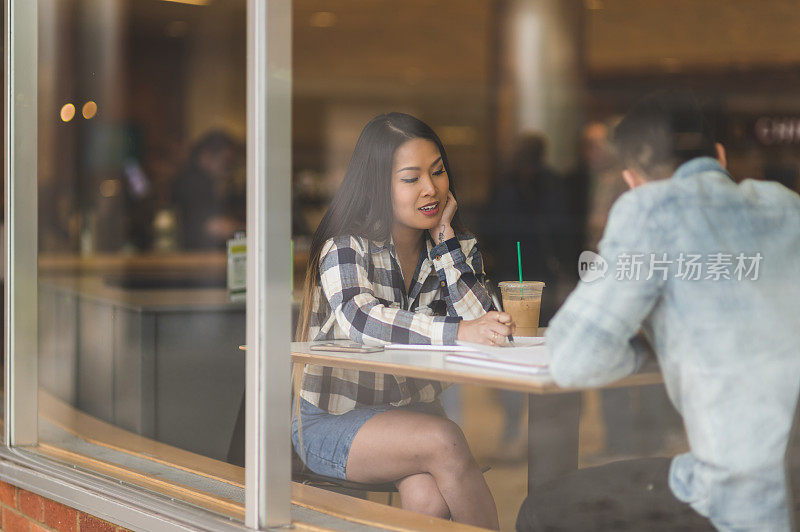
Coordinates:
[727,337]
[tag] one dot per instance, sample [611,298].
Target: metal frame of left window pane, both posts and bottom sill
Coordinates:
[268,474]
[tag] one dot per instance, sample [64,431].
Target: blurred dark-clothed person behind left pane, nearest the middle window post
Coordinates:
[210,202]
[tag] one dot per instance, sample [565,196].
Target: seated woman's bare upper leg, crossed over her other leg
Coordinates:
[399,443]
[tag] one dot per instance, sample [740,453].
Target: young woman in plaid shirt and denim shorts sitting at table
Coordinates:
[391,262]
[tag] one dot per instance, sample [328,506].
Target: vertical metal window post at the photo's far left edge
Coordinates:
[21,243]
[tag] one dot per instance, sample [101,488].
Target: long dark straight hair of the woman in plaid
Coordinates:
[363,204]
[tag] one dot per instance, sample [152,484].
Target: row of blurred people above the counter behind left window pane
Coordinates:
[142,202]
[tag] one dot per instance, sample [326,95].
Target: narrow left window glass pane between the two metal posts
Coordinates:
[141,195]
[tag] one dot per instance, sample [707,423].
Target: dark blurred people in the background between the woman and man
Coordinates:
[553,215]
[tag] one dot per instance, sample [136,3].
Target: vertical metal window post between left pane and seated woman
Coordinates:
[267,458]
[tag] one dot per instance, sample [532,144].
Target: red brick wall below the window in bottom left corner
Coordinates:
[23,511]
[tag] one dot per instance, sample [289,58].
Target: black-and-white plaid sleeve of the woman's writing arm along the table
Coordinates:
[349,275]
